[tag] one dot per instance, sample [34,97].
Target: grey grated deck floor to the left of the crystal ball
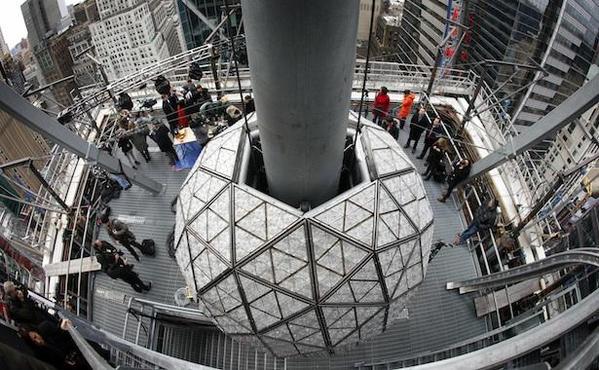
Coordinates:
[149,217]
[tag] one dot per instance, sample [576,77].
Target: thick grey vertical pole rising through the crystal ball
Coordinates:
[302,56]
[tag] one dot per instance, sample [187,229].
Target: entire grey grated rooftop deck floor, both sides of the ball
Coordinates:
[437,317]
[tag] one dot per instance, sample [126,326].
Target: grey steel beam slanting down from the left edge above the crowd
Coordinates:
[51,129]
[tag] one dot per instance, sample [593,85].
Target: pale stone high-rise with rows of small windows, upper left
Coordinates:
[133,34]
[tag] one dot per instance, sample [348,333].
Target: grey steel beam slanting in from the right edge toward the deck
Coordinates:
[570,109]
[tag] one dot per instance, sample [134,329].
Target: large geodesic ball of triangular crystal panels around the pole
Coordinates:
[298,282]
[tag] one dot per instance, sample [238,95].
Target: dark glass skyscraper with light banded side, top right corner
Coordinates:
[559,35]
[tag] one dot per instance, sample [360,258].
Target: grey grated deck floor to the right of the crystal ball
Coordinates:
[437,317]
